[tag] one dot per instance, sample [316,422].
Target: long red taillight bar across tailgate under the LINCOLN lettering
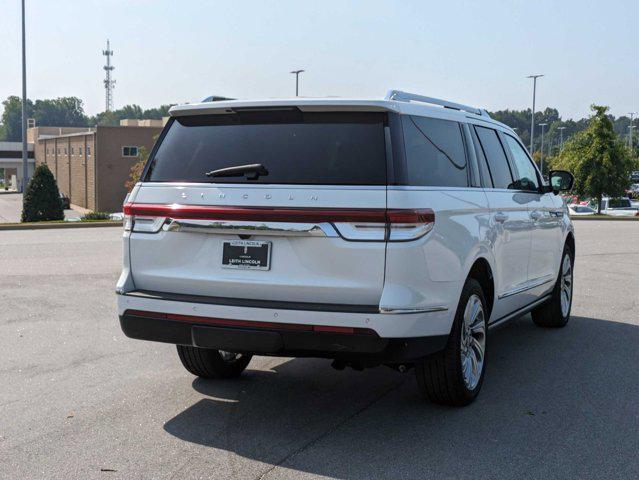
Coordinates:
[281,214]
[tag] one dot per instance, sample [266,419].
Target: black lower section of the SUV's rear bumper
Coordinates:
[278,339]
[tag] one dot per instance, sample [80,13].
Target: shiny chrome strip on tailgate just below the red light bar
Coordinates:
[283,229]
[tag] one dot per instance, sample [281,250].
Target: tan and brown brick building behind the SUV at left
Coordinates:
[91,165]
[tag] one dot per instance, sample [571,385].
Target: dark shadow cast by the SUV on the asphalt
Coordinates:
[555,404]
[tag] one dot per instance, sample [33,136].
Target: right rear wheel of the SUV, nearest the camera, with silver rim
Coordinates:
[455,375]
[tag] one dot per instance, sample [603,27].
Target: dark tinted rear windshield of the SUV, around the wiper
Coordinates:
[294,147]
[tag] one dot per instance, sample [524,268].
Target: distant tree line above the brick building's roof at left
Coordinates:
[65,112]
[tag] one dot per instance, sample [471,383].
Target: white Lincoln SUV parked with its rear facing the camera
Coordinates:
[392,232]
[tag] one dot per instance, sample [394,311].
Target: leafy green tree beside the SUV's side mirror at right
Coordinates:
[598,159]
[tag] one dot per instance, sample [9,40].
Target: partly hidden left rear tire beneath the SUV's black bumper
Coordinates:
[210,363]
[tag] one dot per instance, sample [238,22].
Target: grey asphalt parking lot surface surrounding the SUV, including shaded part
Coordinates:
[80,400]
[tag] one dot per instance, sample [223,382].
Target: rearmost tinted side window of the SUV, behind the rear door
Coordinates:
[435,154]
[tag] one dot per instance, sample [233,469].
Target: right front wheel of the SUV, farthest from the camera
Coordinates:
[556,312]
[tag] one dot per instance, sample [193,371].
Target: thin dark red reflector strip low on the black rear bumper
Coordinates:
[227,322]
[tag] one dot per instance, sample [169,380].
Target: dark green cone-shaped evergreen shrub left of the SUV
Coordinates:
[42,197]
